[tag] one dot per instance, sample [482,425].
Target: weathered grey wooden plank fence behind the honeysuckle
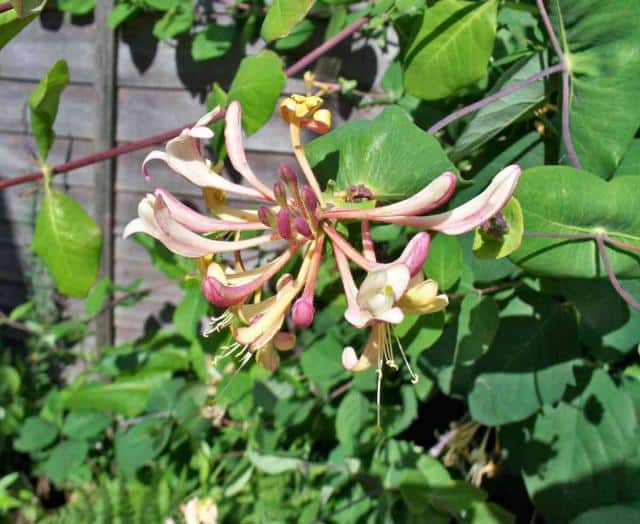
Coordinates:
[155,87]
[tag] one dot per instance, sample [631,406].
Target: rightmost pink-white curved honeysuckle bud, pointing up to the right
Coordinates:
[472,214]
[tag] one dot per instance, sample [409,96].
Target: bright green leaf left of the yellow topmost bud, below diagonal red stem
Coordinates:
[257,86]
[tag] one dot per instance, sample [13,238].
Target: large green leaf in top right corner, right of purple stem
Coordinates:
[601,40]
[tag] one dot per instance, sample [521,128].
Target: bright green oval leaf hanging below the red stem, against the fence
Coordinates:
[69,242]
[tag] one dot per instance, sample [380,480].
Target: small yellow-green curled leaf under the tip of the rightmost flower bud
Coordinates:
[488,246]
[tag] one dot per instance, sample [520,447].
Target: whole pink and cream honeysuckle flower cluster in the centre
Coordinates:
[296,215]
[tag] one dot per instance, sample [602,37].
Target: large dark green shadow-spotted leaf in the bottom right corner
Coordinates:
[583,453]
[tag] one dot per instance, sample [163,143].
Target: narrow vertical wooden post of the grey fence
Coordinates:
[103,138]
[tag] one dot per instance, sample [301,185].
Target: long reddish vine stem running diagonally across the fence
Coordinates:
[163,137]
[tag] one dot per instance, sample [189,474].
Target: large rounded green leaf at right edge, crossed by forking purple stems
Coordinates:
[563,200]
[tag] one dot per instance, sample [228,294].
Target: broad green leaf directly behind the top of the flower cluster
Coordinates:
[404,160]
